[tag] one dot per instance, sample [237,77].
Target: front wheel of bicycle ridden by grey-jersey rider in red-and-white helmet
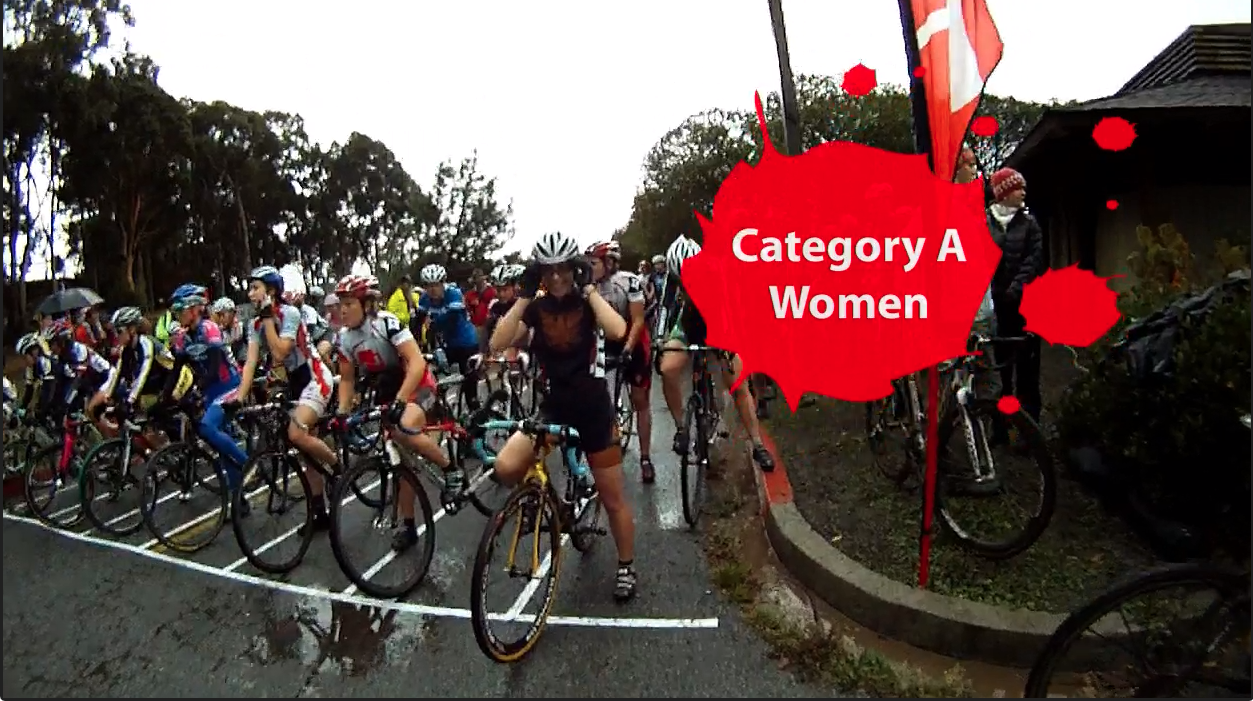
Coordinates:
[363,566]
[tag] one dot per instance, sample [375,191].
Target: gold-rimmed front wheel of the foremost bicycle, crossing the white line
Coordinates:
[529,515]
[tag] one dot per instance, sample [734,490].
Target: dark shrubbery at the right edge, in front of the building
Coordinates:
[1181,436]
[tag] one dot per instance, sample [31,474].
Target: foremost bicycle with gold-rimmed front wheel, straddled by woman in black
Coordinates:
[542,512]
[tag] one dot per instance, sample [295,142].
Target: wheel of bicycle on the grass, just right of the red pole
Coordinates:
[983,515]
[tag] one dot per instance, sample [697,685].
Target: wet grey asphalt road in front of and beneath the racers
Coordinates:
[82,619]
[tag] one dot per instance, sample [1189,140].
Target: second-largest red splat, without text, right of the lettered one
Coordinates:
[1069,307]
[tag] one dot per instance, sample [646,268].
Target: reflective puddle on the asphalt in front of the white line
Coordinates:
[334,638]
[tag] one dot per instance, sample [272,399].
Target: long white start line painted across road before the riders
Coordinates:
[422,610]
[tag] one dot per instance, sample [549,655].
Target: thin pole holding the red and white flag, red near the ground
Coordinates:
[923,145]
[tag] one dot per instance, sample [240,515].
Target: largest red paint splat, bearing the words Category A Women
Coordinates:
[795,219]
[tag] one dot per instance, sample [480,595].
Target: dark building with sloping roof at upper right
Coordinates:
[1190,165]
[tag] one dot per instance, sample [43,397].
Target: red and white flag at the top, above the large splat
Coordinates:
[959,48]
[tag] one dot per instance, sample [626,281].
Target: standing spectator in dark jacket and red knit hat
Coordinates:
[1022,244]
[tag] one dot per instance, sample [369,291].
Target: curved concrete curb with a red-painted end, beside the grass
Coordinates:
[923,619]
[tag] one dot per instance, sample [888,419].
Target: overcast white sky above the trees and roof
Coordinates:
[563,100]
